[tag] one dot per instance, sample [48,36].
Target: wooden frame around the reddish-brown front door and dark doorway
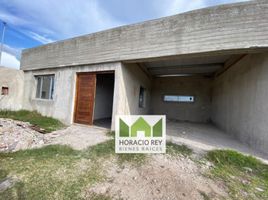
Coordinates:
[76,91]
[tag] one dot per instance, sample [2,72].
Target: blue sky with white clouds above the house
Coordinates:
[31,23]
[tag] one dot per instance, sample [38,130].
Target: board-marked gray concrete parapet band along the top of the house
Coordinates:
[234,27]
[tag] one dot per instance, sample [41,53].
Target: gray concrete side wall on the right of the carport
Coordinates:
[239,101]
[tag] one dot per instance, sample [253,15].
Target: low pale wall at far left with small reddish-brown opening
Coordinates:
[13,79]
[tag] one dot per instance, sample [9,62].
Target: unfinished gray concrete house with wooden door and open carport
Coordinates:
[204,66]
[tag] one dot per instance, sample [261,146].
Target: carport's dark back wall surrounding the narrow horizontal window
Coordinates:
[196,86]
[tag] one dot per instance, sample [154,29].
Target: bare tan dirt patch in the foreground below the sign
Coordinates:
[162,177]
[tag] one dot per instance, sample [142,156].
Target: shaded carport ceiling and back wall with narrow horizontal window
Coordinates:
[182,87]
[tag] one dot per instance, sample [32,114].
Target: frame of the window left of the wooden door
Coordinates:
[38,95]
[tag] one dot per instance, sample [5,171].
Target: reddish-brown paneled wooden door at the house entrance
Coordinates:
[85,98]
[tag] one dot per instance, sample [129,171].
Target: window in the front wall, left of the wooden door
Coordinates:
[45,87]
